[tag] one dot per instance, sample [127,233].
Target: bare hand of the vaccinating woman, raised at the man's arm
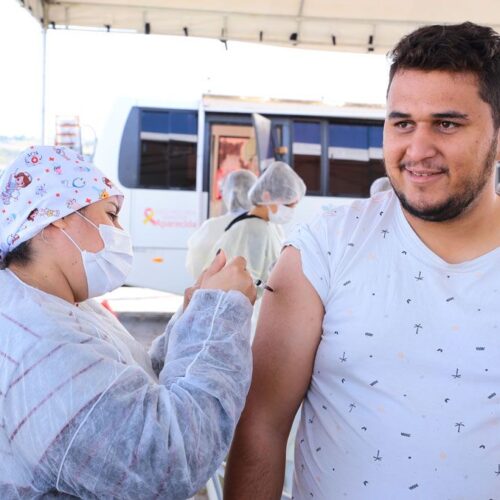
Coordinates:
[229,276]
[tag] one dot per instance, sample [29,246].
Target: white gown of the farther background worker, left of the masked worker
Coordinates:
[202,241]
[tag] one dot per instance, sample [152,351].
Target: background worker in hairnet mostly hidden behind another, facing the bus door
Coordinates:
[235,197]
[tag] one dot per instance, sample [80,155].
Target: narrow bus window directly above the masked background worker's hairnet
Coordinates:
[306,151]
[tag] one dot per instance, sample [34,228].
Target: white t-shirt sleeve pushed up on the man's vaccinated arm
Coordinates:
[311,240]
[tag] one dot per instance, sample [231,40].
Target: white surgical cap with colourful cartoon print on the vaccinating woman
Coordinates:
[44,184]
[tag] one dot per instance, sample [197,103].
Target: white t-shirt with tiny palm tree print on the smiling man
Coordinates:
[404,400]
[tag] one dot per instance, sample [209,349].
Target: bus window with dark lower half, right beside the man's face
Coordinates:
[355,158]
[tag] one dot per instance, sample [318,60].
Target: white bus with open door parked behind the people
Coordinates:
[170,160]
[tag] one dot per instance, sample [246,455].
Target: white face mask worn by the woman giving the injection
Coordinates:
[108,268]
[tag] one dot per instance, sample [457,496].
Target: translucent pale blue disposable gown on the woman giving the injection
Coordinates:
[84,413]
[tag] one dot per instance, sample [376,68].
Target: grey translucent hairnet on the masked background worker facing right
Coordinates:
[279,184]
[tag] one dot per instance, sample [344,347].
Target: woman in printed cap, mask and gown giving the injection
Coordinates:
[84,410]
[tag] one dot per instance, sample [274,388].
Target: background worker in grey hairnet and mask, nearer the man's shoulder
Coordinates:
[257,235]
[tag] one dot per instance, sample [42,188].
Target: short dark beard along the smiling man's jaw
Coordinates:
[456,204]
